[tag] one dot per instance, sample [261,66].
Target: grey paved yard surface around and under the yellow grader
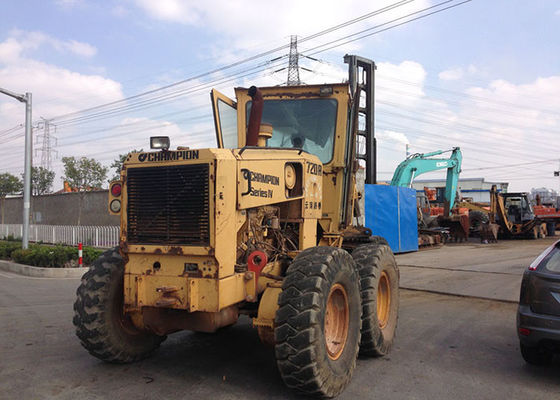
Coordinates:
[448,347]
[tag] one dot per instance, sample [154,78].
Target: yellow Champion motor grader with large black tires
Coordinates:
[264,226]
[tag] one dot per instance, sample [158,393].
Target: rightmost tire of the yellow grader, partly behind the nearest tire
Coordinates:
[372,260]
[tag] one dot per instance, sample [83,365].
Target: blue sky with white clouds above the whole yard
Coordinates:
[483,76]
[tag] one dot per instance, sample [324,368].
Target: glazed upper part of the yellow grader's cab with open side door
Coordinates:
[307,121]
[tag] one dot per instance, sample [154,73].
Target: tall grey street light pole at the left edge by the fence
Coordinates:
[27,99]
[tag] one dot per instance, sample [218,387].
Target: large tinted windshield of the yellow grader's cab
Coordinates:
[307,124]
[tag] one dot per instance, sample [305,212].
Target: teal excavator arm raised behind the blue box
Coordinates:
[417,164]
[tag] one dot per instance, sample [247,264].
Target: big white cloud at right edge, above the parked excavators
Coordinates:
[507,123]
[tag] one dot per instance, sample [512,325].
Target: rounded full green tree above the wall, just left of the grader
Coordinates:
[83,174]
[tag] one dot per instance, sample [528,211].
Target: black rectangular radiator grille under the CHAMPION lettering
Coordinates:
[169,205]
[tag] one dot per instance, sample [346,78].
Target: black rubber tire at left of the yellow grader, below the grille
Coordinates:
[102,329]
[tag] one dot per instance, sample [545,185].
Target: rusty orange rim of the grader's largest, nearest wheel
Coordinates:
[336,321]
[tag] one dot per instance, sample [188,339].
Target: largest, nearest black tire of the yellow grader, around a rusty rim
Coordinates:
[301,350]
